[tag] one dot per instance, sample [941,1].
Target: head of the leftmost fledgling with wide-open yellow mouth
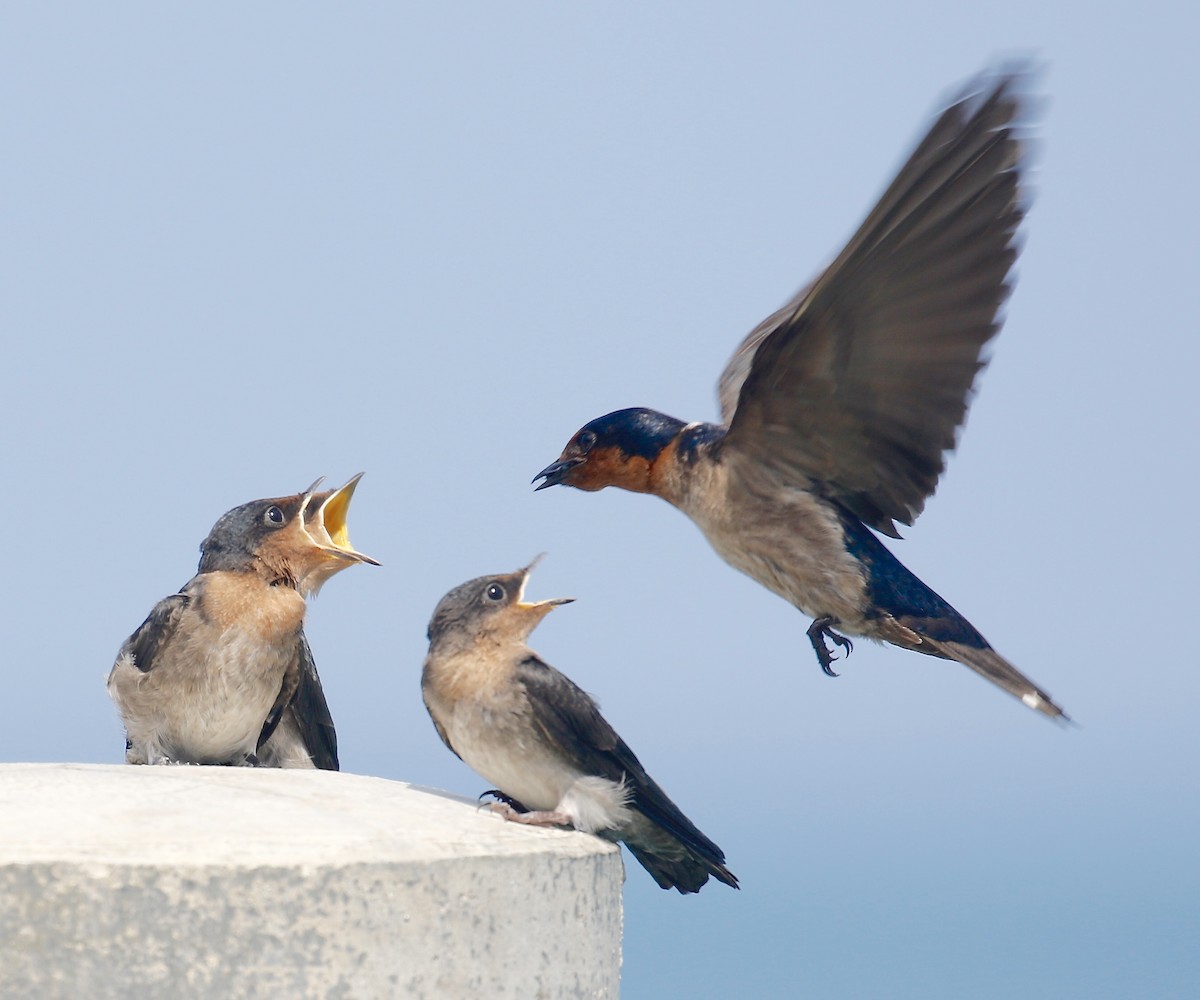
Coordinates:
[301,541]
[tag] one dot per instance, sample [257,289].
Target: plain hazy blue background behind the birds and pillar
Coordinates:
[249,245]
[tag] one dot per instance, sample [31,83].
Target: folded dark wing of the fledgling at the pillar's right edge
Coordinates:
[571,721]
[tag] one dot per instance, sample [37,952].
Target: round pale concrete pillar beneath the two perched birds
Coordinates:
[231,883]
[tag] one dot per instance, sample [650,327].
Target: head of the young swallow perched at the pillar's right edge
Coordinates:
[490,610]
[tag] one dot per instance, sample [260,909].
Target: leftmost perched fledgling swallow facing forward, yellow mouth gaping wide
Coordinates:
[221,673]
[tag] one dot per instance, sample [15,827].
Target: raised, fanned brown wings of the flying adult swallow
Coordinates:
[862,381]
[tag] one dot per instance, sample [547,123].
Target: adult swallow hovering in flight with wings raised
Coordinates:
[839,409]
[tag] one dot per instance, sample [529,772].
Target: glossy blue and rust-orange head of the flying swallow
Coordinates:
[619,450]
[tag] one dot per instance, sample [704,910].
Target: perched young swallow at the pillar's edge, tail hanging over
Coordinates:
[542,741]
